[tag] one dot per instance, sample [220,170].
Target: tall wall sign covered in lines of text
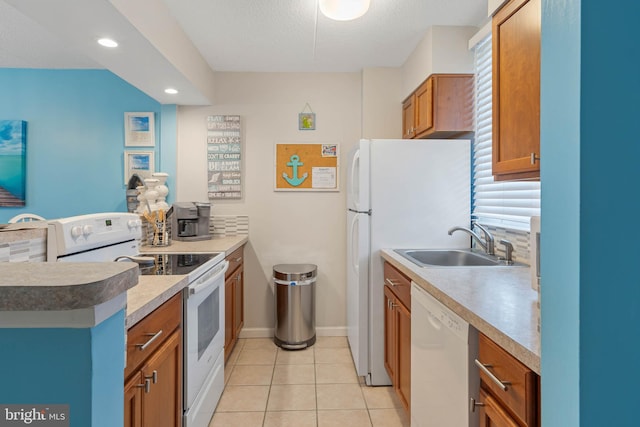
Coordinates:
[224,157]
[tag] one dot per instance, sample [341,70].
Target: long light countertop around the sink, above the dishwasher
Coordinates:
[497,301]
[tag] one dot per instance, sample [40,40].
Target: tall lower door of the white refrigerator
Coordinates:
[358,289]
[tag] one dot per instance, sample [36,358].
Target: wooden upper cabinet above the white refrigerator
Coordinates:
[441,107]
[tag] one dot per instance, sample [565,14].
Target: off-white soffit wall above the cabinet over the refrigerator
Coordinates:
[443,49]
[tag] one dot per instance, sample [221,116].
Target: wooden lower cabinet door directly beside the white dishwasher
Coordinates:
[403,354]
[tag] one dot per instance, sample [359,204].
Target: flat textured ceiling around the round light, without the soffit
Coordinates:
[282,35]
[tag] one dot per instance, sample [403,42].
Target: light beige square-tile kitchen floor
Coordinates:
[266,386]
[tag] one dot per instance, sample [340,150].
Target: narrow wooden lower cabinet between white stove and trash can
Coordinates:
[233,300]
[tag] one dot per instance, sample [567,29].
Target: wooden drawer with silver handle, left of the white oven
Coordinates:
[148,334]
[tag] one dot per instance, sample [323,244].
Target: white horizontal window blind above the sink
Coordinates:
[507,204]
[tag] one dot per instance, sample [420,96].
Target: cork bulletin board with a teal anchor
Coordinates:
[306,167]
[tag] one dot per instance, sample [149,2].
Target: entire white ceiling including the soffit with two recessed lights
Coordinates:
[180,43]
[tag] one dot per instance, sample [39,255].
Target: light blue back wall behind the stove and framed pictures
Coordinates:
[75,138]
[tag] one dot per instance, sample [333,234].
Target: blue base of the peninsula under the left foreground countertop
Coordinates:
[82,368]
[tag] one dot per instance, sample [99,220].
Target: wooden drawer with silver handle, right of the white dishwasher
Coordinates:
[520,396]
